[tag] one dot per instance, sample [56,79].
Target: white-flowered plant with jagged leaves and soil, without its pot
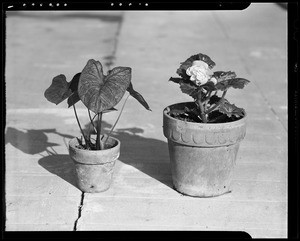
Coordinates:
[199,81]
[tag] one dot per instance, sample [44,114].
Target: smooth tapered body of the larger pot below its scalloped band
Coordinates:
[202,172]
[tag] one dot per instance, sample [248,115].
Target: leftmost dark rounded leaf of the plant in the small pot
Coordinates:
[58,90]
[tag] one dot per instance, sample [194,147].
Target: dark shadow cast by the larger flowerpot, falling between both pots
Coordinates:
[148,155]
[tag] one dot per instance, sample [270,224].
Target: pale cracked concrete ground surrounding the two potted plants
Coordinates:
[39,172]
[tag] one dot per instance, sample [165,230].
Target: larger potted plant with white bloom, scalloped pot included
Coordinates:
[204,135]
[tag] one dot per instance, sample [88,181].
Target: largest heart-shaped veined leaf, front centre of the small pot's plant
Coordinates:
[99,92]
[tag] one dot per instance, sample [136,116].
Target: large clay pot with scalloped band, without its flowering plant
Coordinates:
[202,155]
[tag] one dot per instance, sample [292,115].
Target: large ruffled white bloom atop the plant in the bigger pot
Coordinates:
[198,72]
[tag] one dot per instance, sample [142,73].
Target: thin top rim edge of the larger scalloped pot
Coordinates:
[166,109]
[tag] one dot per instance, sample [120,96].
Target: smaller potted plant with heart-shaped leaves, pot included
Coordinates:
[94,156]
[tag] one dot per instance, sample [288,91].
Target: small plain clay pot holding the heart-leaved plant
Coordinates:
[94,169]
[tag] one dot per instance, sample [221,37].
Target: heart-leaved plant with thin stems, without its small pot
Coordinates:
[98,92]
